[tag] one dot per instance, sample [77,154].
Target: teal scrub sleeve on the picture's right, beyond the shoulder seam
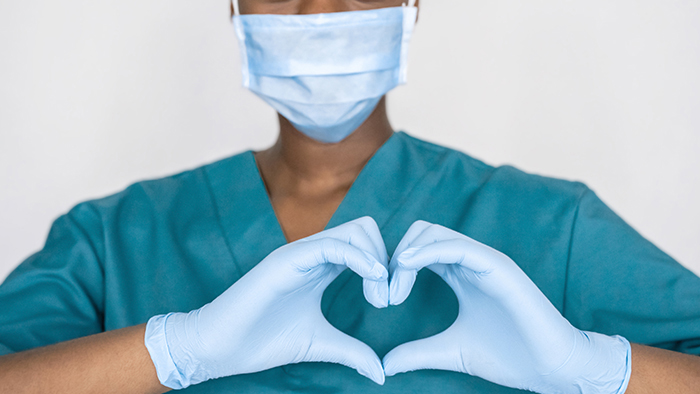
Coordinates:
[618,282]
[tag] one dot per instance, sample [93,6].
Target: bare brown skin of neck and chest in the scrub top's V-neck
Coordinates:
[307,180]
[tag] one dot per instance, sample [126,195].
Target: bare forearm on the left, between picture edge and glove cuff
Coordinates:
[111,362]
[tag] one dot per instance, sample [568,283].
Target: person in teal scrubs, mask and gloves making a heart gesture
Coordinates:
[232,269]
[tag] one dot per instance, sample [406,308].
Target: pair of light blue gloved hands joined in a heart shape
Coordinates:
[272,315]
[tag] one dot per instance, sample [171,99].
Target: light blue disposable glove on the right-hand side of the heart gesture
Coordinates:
[507,331]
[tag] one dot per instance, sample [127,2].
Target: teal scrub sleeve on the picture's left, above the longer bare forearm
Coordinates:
[56,294]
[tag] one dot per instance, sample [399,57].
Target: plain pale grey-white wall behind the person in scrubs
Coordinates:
[95,95]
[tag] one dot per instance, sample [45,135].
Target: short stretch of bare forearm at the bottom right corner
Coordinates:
[663,371]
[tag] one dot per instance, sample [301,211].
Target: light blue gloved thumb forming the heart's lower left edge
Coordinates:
[333,346]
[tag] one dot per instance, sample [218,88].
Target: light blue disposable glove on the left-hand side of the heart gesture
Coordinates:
[272,315]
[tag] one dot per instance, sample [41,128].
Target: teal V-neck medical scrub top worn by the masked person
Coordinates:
[176,243]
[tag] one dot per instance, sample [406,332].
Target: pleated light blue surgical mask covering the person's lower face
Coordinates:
[325,73]
